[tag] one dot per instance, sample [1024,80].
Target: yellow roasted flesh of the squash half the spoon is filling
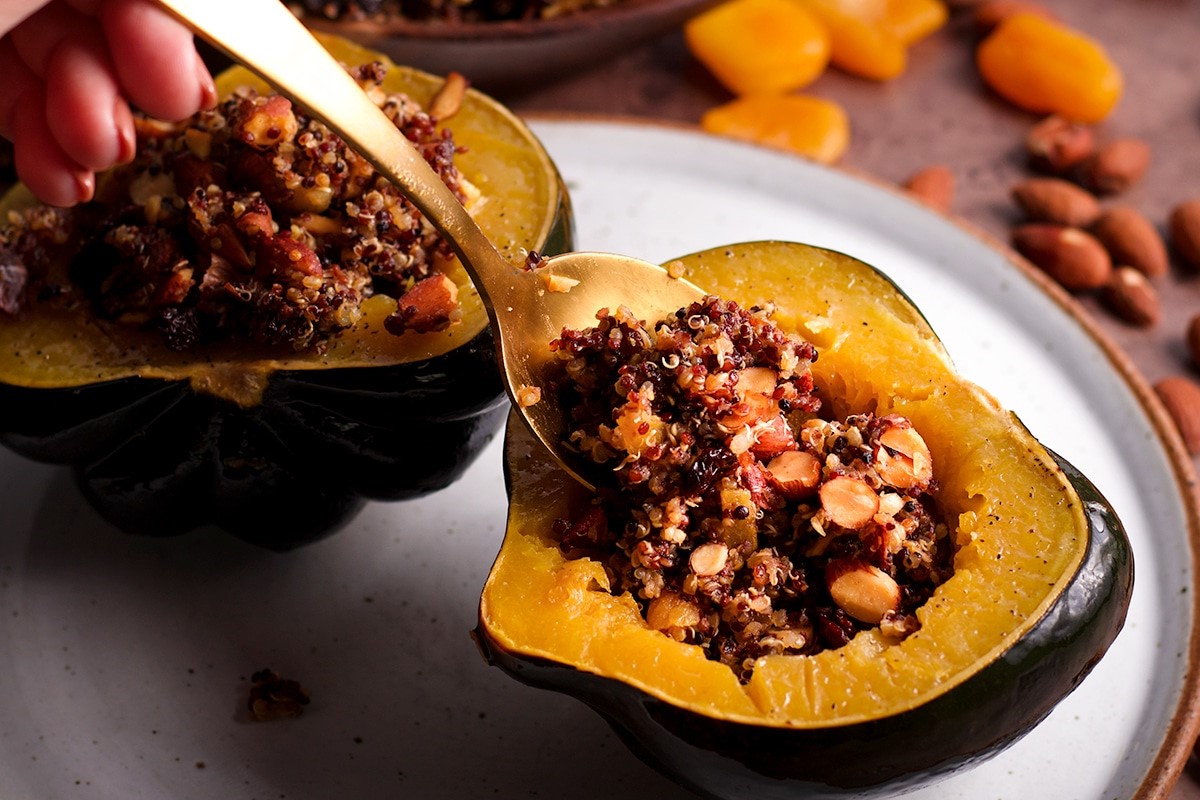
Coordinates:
[1022,528]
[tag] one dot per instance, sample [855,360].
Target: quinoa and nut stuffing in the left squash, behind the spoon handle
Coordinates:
[251,222]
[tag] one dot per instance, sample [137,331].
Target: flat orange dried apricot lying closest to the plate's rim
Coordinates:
[812,127]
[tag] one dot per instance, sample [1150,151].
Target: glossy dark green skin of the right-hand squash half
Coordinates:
[892,755]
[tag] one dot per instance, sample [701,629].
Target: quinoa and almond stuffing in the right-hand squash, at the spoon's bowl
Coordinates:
[741,519]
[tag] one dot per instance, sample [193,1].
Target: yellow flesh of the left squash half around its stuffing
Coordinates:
[520,204]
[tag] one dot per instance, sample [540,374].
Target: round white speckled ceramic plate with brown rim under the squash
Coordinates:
[125,664]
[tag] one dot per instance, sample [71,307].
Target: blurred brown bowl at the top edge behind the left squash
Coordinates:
[511,57]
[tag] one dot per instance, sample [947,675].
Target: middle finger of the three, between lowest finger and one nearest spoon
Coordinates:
[83,105]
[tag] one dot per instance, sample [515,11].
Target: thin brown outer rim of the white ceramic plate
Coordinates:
[1181,735]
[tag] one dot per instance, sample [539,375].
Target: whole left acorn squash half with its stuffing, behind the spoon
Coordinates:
[266,435]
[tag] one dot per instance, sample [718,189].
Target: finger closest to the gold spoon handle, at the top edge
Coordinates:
[158,64]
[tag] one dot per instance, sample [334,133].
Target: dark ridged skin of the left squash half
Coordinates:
[154,458]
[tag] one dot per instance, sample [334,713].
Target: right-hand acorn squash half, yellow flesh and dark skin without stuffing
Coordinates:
[1042,584]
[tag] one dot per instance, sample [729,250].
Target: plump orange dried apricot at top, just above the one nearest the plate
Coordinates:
[760,46]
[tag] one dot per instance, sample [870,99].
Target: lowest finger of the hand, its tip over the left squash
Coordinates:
[41,164]
